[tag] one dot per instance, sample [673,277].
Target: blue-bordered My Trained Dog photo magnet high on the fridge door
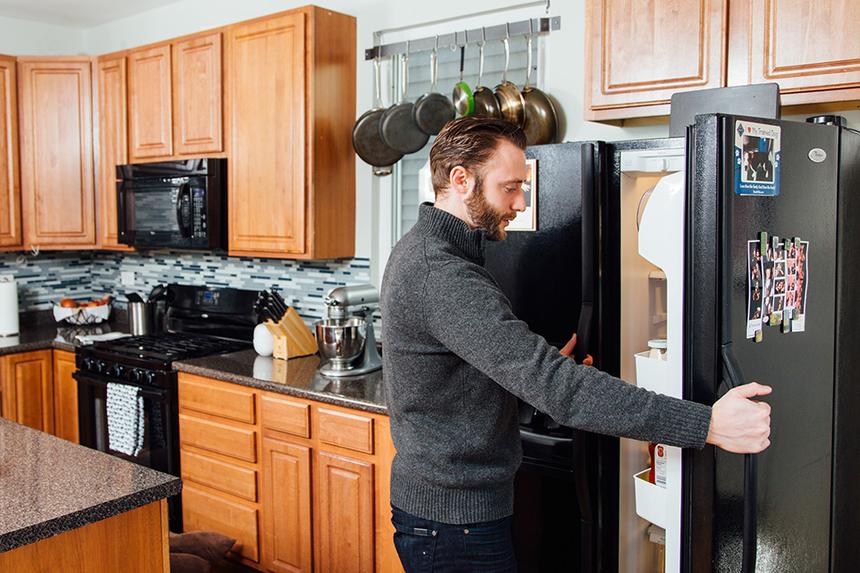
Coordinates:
[757,156]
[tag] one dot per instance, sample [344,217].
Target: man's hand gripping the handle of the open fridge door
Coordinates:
[738,423]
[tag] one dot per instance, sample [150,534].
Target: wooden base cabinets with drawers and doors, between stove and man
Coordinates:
[320,486]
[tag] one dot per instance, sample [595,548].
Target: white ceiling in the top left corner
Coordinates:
[76,13]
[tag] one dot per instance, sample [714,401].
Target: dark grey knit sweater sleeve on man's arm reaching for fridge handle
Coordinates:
[469,315]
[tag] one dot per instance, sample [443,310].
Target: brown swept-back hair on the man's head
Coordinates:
[469,142]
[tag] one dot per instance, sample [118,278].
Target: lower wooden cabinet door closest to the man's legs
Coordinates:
[344,497]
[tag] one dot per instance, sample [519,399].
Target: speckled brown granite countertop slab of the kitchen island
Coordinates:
[49,485]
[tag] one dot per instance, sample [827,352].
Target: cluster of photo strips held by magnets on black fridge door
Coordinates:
[778,282]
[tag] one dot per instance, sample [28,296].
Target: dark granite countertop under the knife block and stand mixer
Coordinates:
[296,377]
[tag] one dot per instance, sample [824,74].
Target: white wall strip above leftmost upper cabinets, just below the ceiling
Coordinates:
[27,38]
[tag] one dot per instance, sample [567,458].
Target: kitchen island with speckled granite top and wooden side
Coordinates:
[70,508]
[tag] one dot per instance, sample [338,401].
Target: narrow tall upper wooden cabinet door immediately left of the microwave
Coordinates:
[113,144]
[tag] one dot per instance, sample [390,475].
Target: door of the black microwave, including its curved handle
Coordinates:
[157,212]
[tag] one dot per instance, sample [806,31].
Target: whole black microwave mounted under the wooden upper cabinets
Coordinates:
[173,204]
